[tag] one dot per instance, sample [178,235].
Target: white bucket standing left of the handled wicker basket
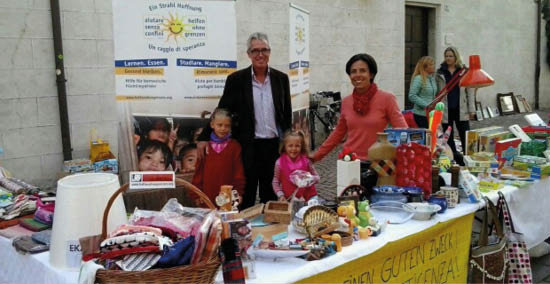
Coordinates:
[81,200]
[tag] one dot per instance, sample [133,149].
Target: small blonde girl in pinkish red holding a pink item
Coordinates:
[294,156]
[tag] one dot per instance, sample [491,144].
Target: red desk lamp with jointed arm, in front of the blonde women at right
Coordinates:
[474,77]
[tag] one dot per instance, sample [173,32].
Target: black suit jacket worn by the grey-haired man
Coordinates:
[237,98]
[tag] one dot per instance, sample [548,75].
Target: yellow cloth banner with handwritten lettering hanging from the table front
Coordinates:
[436,255]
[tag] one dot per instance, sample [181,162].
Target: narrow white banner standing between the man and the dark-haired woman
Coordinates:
[299,56]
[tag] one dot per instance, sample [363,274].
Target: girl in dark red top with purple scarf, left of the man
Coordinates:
[222,165]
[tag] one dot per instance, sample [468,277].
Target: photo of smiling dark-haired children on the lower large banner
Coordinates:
[167,143]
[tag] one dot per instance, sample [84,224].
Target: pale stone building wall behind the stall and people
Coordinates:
[502,32]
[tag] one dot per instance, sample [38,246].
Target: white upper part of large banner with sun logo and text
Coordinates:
[172,57]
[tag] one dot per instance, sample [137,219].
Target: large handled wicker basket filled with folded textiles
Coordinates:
[175,245]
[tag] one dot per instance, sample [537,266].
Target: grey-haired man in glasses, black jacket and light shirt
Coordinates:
[259,99]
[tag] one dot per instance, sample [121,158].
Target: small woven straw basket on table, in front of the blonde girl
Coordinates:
[319,220]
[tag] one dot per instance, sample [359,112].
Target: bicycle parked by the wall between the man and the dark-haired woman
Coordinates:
[324,108]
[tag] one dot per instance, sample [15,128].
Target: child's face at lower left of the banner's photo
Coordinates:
[153,155]
